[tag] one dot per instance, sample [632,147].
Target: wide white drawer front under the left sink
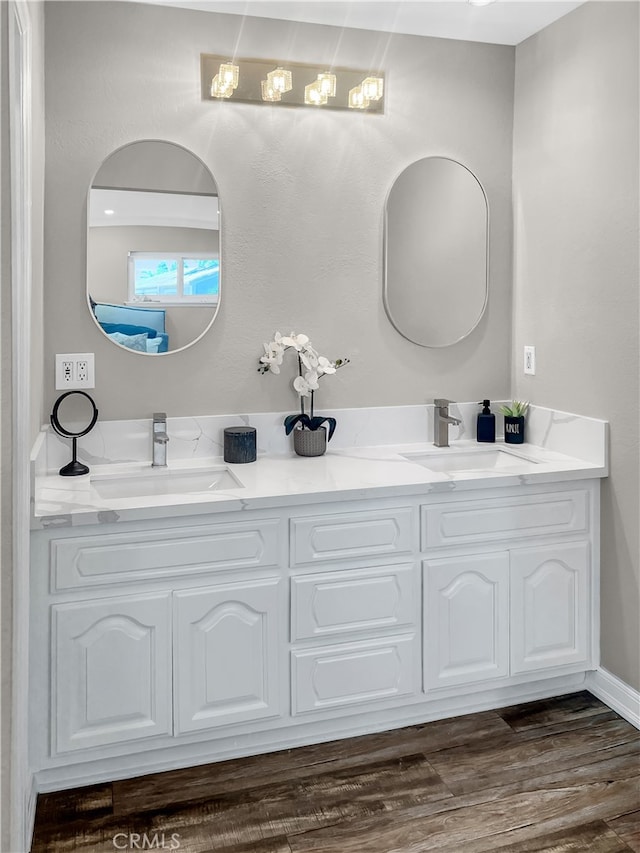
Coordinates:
[121,557]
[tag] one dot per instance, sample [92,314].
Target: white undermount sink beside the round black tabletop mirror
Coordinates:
[164,481]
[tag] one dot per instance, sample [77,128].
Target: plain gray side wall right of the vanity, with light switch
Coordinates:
[576,270]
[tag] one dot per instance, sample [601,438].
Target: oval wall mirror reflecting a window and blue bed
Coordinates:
[153,247]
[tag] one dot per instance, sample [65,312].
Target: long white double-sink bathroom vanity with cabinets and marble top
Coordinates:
[321,598]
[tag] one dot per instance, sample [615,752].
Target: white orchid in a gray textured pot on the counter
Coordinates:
[309,433]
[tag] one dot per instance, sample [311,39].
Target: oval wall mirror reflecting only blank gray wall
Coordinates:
[436,252]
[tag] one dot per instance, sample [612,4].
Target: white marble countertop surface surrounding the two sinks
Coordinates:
[286,479]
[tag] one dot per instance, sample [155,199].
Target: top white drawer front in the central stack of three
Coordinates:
[347,536]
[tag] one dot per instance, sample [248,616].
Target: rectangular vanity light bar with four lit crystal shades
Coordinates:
[291,84]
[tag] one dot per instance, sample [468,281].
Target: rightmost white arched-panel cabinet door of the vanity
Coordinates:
[549,606]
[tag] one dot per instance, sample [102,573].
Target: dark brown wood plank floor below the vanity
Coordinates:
[559,775]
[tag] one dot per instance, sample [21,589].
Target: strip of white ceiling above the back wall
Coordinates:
[503,22]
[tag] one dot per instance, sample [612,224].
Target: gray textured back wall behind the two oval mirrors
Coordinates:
[302,194]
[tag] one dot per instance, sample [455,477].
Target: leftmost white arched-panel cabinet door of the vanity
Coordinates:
[111,671]
